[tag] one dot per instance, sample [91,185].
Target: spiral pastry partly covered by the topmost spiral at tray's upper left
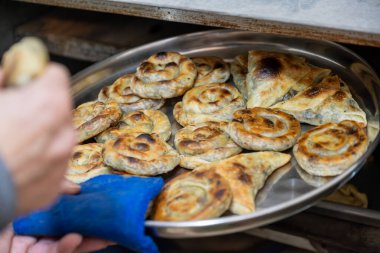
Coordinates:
[120,92]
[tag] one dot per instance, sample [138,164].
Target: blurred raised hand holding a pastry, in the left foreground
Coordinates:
[37,137]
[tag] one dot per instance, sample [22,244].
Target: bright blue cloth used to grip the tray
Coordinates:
[110,207]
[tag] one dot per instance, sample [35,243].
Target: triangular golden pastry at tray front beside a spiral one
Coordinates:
[246,174]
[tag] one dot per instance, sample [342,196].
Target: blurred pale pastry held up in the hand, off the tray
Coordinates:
[24,61]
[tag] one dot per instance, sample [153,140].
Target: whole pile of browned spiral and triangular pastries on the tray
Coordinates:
[259,112]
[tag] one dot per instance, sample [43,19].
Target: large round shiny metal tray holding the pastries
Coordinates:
[285,193]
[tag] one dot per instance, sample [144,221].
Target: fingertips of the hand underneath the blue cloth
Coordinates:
[71,243]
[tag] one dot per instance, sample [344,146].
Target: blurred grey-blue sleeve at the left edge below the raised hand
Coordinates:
[7,196]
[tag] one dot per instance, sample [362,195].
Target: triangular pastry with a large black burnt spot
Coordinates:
[271,76]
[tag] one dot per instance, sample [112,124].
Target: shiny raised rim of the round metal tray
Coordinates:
[292,206]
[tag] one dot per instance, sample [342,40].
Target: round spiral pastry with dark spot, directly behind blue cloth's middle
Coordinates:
[140,154]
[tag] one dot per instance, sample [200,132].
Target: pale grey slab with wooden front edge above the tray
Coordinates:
[355,22]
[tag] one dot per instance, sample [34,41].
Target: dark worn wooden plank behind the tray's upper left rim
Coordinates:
[94,36]
